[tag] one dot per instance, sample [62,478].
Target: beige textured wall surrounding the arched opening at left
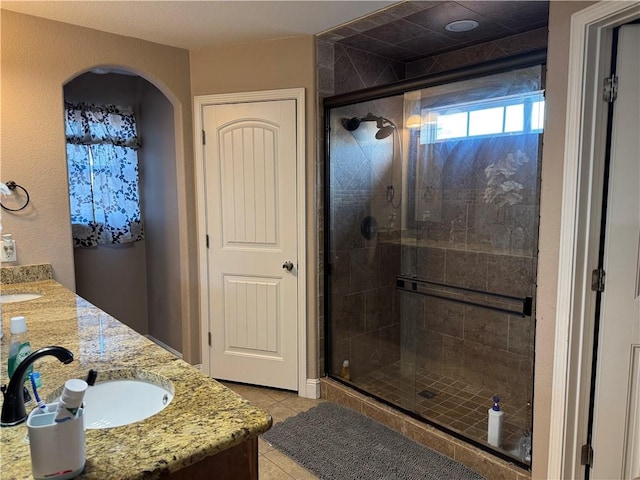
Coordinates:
[38,57]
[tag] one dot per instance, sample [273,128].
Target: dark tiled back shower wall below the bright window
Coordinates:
[483,242]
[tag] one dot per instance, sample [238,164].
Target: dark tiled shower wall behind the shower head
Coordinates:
[365,320]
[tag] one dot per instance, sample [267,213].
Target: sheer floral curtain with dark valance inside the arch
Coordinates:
[103,174]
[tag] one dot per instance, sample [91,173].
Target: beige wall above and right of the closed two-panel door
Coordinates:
[272,65]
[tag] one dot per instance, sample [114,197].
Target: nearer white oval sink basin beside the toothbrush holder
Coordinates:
[121,401]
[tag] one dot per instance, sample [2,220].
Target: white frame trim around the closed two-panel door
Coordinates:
[200,102]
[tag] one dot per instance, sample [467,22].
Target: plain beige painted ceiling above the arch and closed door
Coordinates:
[199,24]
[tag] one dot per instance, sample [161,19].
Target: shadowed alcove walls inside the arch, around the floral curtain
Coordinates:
[136,282]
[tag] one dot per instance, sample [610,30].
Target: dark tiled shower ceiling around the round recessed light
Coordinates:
[413,30]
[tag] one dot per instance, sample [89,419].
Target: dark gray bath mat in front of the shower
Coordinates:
[336,443]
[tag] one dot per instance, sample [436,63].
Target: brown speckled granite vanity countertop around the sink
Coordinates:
[203,419]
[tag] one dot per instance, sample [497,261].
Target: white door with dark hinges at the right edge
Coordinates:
[616,427]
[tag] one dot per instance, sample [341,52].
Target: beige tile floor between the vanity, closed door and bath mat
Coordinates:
[281,404]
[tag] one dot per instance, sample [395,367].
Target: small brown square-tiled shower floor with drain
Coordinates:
[448,402]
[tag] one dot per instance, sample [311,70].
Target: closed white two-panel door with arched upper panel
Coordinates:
[251,212]
